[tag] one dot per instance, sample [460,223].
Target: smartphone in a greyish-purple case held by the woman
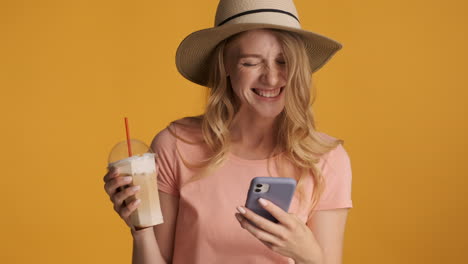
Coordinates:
[278,190]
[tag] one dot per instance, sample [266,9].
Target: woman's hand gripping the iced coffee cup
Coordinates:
[112,183]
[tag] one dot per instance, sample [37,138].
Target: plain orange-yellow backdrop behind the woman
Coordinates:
[71,70]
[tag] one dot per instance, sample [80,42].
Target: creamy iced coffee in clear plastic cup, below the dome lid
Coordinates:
[142,168]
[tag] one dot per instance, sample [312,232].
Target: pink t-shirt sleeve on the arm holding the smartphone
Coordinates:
[336,170]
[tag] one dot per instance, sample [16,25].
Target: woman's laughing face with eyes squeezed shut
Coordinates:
[256,67]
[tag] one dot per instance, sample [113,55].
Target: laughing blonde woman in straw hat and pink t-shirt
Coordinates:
[257,63]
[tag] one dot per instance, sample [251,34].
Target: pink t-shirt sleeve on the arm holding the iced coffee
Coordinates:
[164,146]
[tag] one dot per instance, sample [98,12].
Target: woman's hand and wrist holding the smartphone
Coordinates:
[289,237]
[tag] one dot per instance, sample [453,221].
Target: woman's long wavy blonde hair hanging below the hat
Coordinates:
[297,140]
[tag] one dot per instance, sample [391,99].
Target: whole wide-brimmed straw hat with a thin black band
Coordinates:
[234,16]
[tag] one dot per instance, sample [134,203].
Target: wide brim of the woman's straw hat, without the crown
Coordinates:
[194,51]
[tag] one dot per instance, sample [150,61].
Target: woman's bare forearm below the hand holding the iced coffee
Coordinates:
[145,248]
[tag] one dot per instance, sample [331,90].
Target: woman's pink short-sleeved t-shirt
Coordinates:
[207,230]
